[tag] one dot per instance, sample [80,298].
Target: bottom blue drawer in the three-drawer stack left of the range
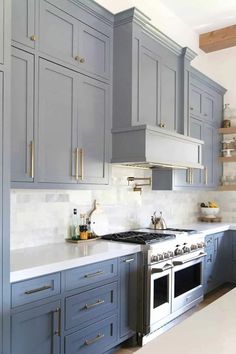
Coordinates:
[97,338]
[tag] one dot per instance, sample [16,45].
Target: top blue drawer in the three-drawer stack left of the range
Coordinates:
[90,274]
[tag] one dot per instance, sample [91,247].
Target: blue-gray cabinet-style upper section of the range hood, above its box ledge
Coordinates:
[147,89]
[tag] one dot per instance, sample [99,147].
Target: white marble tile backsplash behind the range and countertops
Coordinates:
[41,217]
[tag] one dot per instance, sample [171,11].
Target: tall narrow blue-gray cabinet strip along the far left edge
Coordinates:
[5,18]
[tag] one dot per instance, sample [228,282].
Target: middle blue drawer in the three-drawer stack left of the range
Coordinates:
[89,305]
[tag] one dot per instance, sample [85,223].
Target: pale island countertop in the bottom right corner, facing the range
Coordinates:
[212,330]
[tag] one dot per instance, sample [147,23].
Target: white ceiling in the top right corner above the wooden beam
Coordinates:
[204,15]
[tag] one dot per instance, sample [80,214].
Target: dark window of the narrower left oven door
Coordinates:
[161,293]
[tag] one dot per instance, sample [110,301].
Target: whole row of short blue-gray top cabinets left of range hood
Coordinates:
[61,33]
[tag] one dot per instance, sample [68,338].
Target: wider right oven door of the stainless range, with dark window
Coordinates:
[187,280]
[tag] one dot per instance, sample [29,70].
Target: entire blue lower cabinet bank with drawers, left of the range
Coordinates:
[88,319]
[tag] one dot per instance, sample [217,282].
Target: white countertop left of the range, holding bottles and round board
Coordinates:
[36,261]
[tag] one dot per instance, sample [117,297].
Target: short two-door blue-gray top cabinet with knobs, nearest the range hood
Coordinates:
[64,37]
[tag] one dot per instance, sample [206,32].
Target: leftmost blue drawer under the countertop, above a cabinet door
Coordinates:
[35,289]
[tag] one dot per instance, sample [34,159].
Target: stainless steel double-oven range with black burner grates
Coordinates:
[172,279]
